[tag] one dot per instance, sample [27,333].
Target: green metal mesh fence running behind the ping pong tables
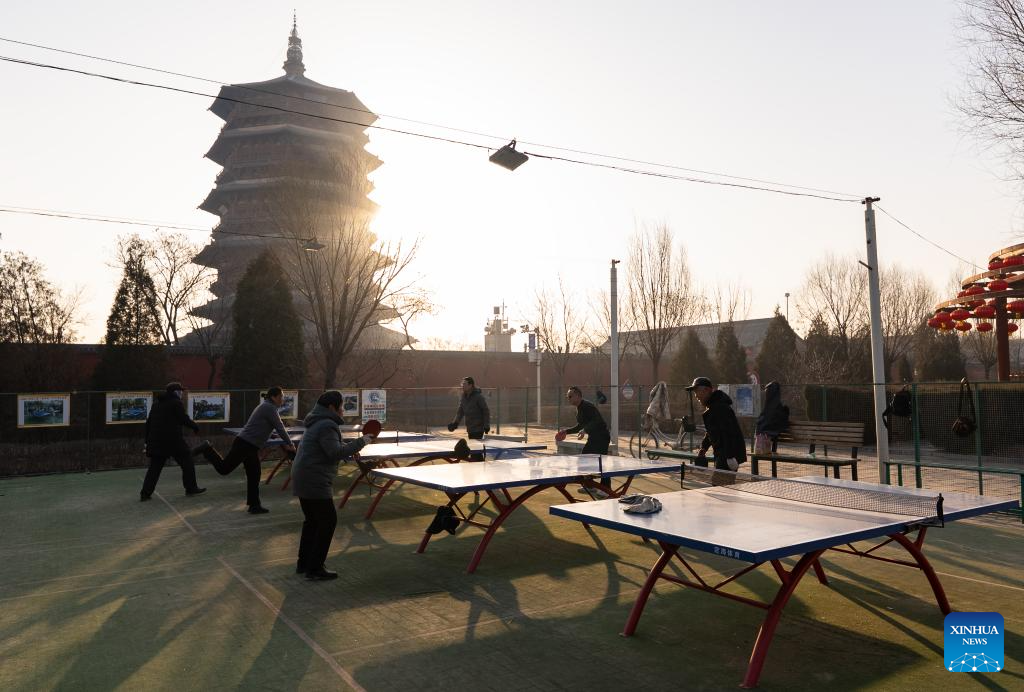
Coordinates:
[89,443]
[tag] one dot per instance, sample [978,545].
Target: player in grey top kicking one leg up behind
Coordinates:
[245,449]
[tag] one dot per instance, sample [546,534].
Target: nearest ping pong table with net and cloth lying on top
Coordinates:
[764,522]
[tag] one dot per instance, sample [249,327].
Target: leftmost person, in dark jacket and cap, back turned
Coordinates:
[164,441]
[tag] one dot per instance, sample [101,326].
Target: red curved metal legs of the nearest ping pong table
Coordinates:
[790,580]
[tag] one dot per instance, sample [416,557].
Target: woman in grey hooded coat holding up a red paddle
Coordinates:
[314,471]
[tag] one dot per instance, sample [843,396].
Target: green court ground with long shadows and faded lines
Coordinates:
[101,592]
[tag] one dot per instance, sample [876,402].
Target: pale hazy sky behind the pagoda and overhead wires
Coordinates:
[843,97]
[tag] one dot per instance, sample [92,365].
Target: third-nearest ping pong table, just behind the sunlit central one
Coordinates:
[428,452]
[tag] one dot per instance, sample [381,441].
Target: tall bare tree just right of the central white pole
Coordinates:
[663,296]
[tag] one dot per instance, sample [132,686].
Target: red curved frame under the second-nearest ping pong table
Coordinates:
[505,505]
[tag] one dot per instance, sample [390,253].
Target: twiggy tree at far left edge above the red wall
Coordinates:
[32,310]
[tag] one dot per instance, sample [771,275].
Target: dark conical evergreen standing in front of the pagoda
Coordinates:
[267,341]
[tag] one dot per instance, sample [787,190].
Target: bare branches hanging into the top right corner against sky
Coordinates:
[993,103]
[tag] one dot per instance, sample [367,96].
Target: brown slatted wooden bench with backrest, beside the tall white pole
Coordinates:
[817,435]
